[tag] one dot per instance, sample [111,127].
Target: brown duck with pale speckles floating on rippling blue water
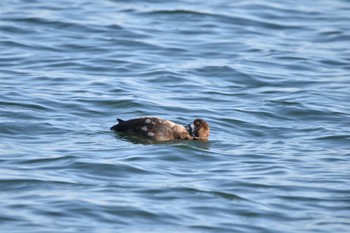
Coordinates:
[159,129]
